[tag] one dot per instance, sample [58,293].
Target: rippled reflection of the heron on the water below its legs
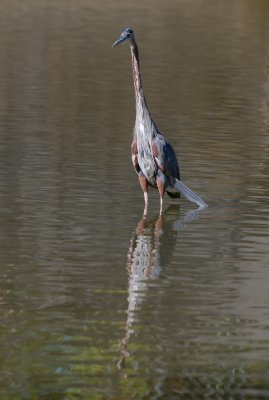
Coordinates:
[151,247]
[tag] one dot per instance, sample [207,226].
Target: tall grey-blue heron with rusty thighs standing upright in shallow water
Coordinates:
[153,157]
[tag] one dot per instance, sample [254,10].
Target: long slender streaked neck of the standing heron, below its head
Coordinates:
[141,106]
